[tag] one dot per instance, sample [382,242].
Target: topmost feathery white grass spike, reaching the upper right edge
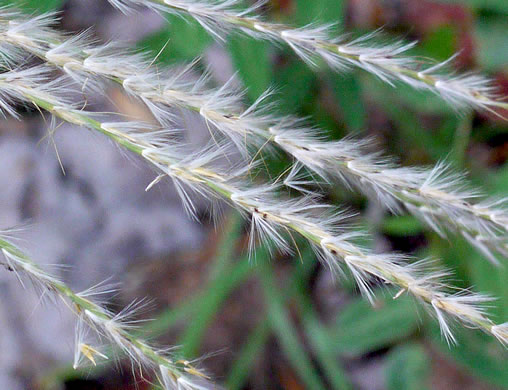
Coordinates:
[316,43]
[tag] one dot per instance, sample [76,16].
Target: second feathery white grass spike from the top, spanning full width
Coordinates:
[437,196]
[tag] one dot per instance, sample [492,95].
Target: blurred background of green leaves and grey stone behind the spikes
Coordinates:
[273,322]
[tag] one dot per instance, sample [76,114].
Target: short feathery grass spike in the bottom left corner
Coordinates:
[93,317]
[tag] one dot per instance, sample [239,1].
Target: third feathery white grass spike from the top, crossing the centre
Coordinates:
[274,217]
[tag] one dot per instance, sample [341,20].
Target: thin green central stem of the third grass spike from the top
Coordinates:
[221,186]
